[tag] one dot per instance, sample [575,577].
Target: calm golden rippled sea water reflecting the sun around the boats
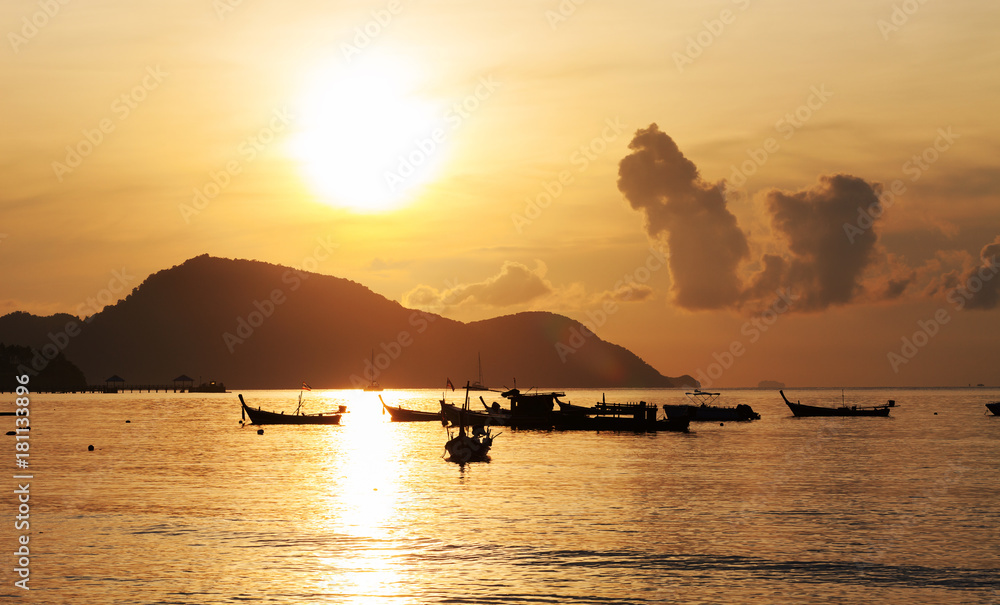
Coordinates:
[183,505]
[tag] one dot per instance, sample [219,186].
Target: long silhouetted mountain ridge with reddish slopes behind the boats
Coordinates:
[257,325]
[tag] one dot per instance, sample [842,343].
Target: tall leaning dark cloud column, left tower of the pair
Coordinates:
[706,244]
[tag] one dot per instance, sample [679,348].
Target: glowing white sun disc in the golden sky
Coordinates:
[367,139]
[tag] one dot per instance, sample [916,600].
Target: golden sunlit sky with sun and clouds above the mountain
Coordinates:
[468,158]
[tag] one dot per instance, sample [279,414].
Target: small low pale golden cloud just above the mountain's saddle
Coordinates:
[515,284]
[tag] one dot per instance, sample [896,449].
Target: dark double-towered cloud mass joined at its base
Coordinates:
[710,260]
